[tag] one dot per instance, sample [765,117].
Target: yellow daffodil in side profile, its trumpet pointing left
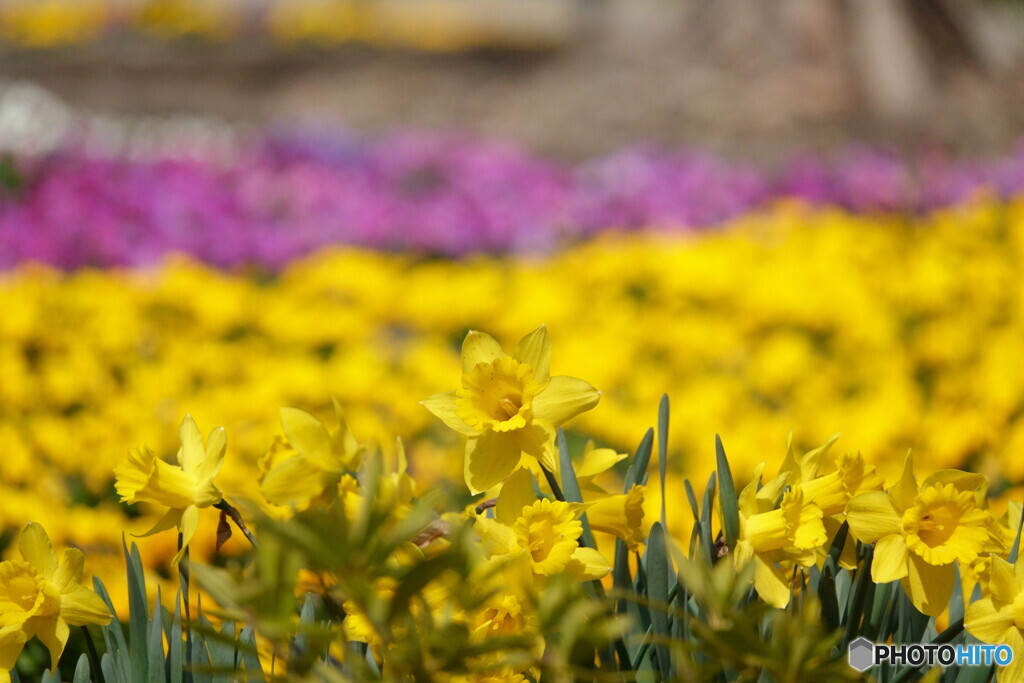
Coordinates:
[184,489]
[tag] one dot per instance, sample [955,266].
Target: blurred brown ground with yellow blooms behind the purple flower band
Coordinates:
[567,78]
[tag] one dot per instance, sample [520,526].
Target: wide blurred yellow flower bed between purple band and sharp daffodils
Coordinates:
[901,333]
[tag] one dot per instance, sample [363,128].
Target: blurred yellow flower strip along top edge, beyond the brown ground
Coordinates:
[426,25]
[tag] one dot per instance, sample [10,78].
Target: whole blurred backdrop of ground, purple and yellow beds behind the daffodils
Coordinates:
[787,215]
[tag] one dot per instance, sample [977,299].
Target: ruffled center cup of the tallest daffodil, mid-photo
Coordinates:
[497,396]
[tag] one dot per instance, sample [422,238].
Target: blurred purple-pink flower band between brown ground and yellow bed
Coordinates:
[293,193]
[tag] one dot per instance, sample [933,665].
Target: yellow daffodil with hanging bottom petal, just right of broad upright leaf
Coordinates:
[774,538]
